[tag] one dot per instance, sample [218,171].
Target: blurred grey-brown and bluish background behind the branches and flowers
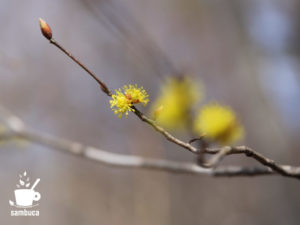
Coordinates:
[245,52]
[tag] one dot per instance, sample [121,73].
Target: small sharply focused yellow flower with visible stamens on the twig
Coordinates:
[122,102]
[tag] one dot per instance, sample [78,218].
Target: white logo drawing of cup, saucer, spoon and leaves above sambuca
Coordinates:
[26,196]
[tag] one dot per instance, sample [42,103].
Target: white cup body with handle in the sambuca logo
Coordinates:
[25,197]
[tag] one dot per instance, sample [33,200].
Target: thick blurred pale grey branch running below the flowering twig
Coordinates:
[120,160]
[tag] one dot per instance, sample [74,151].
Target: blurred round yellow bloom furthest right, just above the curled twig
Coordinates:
[218,123]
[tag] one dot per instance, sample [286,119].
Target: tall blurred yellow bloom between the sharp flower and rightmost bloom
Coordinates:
[178,96]
